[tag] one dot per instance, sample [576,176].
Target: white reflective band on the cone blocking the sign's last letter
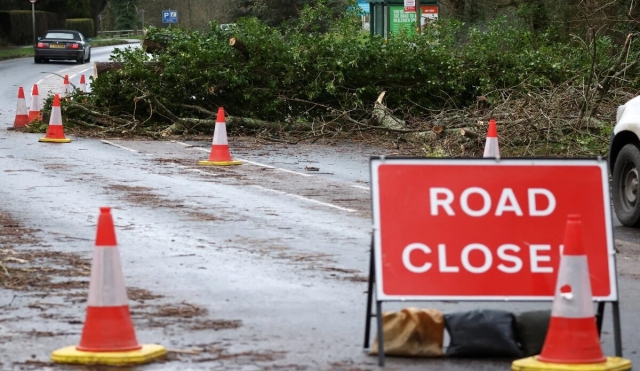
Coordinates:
[578,303]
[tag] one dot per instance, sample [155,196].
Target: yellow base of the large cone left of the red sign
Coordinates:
[148,353]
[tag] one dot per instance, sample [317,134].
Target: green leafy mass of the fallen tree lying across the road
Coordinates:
[321,61]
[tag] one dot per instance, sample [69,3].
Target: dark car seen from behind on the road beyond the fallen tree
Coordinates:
[62,45]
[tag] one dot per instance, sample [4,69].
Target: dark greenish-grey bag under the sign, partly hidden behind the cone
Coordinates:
[531,330]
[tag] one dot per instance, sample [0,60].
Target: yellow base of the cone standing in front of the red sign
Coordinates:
[532,364]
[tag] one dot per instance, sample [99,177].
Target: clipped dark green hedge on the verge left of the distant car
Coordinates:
[18,25]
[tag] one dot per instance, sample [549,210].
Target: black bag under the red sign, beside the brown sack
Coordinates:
[482,333]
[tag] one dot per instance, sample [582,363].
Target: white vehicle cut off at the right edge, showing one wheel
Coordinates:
[624,163]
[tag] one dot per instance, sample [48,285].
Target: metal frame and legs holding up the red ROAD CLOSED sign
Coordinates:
[375,260]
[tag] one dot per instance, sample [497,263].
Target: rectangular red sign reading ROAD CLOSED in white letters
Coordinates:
[481,229]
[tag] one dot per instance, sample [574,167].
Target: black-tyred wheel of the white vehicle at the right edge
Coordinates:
[626,184]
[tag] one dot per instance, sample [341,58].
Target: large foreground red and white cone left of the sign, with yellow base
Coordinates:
[108,336]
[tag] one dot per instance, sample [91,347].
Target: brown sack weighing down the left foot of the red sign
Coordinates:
[412,332]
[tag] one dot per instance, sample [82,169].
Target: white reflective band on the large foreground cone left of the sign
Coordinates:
[107,288]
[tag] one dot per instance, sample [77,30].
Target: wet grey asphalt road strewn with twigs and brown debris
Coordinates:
[280,249]
